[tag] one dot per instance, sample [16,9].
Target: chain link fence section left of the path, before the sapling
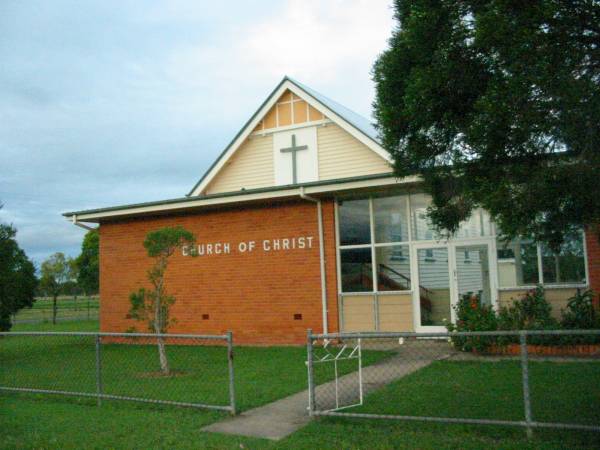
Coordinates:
[196,371]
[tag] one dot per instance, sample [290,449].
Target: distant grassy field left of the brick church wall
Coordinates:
[68,308]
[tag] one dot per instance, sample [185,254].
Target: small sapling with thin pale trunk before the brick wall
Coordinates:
[152,305]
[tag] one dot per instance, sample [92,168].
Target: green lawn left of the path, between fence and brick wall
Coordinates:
[68,363]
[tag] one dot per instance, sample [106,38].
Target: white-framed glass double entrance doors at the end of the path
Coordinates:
[445,273]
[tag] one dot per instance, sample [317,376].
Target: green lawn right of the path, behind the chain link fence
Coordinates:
[560,392]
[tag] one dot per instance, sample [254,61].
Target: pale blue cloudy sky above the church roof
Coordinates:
[114,102]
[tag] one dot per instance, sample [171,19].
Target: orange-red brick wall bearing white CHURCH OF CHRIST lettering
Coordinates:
[254,294]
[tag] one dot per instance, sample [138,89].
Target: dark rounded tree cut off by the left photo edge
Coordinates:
[17,277]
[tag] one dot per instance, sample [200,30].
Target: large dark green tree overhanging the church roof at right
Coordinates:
[497,104]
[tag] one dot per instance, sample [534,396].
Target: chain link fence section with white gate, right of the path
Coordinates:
[531,379]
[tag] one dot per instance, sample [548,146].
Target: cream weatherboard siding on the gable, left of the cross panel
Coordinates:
[250,167]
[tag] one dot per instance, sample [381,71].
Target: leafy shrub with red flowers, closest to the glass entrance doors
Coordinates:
[471,315]
